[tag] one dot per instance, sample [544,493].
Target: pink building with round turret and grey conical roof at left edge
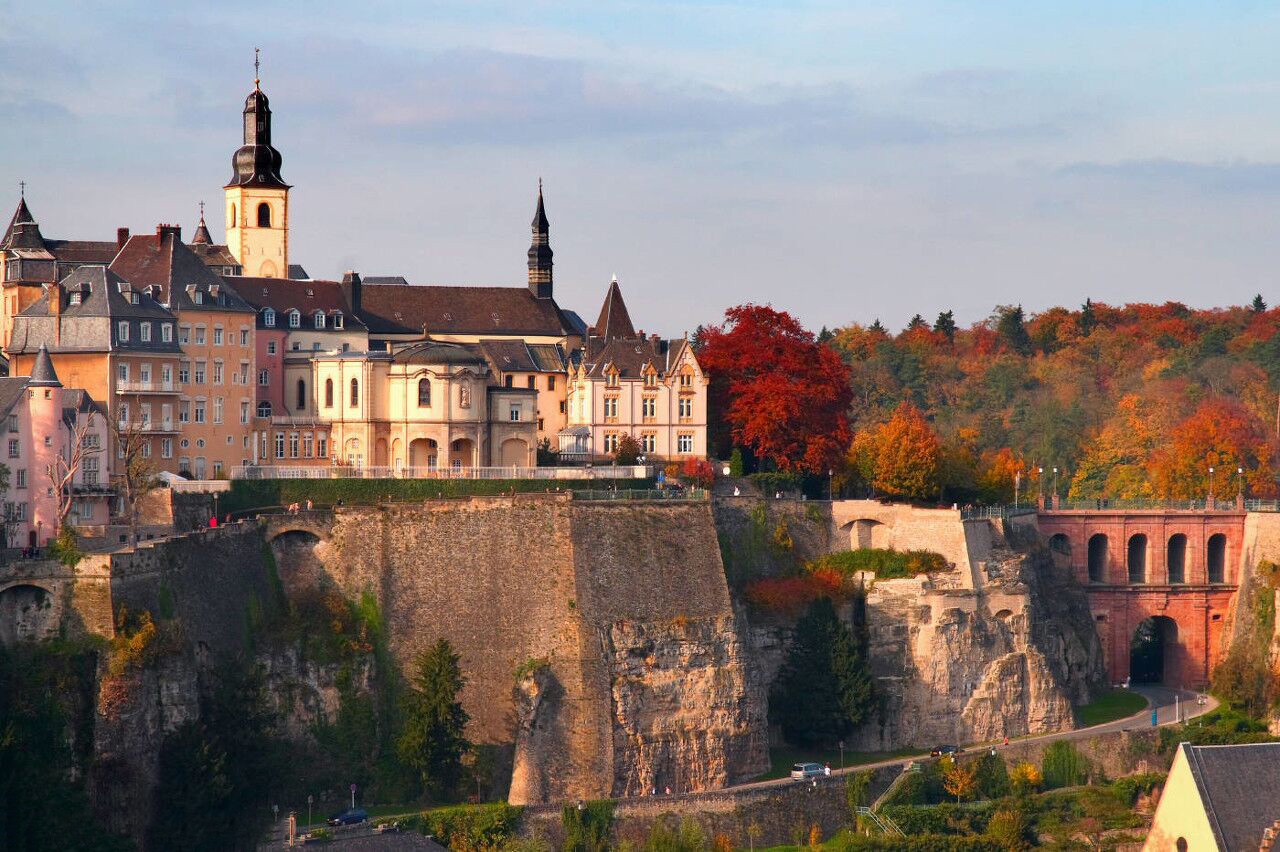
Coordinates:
[42,422]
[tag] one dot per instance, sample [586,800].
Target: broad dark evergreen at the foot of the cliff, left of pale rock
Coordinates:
[825,688]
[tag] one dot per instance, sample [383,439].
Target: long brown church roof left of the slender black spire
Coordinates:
[410,309]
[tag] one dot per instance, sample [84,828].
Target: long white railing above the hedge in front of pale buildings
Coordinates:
[348,471]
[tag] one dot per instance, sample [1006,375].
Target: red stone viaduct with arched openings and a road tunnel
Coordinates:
[1180,567]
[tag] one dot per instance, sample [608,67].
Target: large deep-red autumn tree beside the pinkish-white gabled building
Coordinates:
[779,393]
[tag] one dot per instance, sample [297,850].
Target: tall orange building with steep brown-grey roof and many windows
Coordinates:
[213,395]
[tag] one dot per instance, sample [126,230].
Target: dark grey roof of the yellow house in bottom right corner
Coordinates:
[1241,790]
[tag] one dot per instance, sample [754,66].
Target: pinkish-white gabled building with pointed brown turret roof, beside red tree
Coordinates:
[624,383]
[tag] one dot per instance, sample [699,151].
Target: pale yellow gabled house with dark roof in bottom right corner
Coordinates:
[1219,799]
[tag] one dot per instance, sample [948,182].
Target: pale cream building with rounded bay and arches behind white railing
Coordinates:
[423,406]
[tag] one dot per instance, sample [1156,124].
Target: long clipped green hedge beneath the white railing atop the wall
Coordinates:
[254,494]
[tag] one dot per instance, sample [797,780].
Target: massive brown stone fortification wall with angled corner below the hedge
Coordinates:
[618,617]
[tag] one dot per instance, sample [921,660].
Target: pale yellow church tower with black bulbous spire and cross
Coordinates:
[258,199]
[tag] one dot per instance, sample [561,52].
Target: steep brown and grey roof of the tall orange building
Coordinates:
[177,273]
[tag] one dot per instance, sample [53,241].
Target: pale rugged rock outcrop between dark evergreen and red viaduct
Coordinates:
[1005,659]
